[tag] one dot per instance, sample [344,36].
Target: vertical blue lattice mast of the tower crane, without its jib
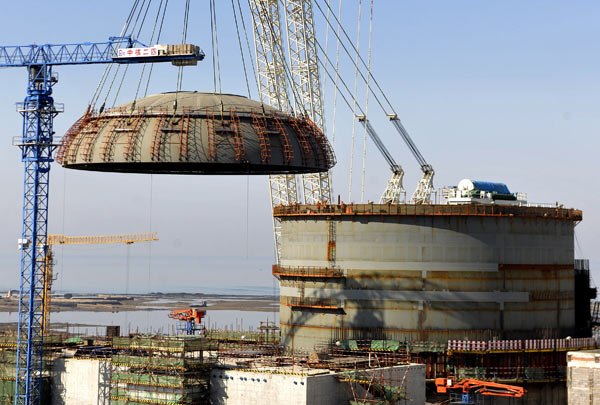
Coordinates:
[36,146]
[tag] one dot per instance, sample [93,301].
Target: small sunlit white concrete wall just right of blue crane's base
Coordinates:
[80,382]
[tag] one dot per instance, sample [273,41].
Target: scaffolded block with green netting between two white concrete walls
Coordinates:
[161,370]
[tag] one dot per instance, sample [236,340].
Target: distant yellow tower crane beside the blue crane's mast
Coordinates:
[81,240]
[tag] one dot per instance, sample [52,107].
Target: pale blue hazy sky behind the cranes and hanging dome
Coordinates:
[501,91]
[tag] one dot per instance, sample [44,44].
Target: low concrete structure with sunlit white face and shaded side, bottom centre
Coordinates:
[242,387]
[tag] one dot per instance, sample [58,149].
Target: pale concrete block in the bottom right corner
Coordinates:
[583,377]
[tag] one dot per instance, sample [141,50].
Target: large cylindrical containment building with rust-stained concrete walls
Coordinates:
[425,272]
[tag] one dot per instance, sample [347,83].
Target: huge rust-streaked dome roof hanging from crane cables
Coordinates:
[195,133]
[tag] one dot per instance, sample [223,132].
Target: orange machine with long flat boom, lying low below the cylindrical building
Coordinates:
[470,388]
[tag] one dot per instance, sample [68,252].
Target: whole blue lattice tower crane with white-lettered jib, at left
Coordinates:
[37,145]
